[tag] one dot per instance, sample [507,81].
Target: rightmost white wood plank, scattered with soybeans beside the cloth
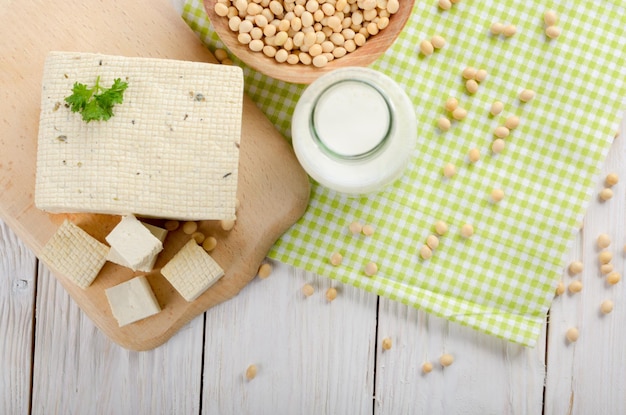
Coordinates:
[588,376]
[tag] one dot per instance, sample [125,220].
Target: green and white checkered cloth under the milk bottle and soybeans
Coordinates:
[501,280]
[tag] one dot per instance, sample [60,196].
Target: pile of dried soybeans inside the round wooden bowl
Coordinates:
[309,32]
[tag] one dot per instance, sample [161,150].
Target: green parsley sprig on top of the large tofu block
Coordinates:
[95,104]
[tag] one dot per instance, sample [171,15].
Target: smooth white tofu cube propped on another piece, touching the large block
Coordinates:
[134,243]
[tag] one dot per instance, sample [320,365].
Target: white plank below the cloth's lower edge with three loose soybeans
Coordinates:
[488,376]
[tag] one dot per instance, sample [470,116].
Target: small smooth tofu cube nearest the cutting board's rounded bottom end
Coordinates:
[132,301]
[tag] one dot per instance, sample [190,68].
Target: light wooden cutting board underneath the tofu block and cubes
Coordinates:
[273,189]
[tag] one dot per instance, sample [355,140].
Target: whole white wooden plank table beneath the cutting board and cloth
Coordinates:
[316,357]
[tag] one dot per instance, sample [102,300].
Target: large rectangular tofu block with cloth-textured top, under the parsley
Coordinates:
[171,150]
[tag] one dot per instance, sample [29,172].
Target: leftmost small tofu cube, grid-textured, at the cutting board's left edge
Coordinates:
[75,254]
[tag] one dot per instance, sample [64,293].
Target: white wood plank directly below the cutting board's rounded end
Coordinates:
[78,370]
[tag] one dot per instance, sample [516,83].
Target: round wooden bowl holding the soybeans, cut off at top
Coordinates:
[305,74]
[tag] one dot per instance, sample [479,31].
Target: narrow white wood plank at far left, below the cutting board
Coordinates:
[17,296]
